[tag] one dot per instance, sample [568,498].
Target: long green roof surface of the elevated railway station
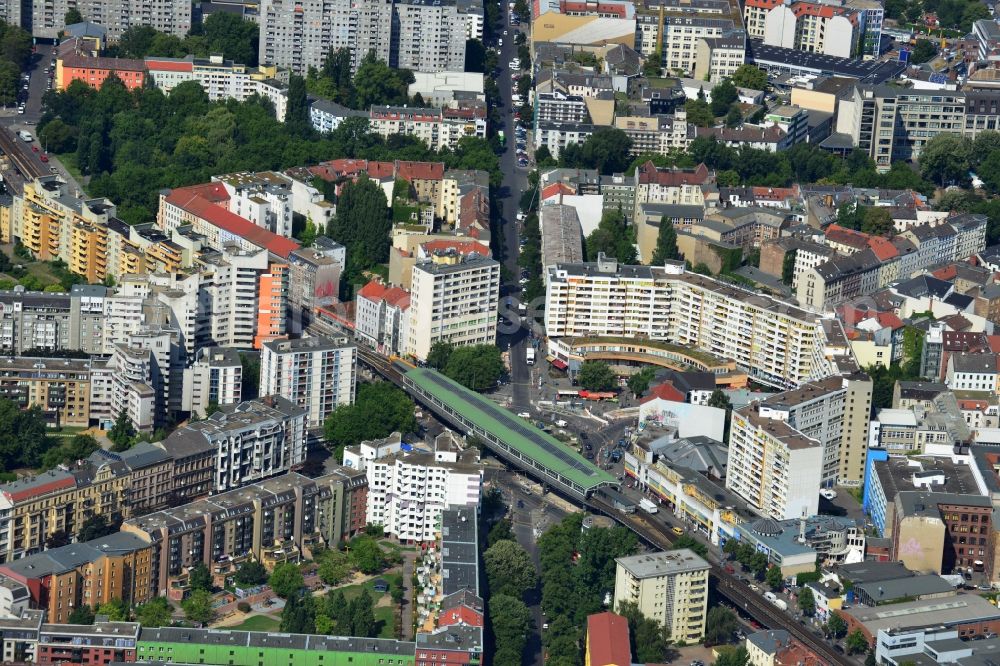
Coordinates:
[513,430]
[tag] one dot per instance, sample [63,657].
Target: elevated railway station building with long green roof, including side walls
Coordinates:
[507,435]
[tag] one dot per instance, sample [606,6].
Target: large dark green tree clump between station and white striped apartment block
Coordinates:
[379,410]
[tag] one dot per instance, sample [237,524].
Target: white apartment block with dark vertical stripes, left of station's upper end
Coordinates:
[318,374]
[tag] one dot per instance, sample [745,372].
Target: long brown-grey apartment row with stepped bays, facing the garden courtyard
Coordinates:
[273,521]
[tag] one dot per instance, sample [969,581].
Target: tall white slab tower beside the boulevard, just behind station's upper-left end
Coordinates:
[454,298]
